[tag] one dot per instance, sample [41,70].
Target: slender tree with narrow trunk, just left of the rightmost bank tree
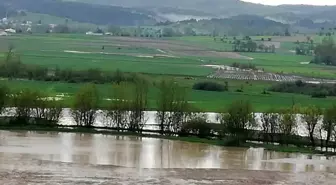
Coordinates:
[311,115]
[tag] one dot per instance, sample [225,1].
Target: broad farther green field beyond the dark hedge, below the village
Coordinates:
[80,51]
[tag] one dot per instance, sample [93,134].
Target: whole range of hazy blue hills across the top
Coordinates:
[229,16]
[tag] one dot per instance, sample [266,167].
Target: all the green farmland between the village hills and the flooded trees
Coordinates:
[182,59]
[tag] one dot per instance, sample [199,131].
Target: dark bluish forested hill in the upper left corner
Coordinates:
[82,12]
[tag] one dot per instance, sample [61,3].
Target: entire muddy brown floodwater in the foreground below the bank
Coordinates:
[72,158]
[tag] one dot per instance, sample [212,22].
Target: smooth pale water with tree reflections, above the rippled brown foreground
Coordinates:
[137,152]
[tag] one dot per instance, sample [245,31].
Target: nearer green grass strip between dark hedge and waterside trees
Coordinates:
[204,100]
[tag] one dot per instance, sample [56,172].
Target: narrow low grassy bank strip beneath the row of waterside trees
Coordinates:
[152,134]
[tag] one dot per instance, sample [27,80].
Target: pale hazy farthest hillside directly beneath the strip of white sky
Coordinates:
[217,8]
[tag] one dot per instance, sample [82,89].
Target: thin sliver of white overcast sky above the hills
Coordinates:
[277,2]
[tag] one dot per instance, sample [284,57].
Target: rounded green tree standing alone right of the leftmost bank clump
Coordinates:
[85,105]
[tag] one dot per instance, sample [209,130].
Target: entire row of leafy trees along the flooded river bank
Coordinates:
[125,108]
